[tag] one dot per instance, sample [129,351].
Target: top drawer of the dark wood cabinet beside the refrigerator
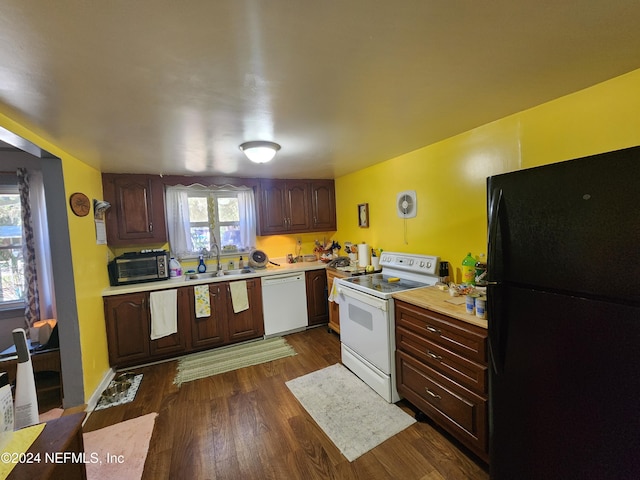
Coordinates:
[454,335]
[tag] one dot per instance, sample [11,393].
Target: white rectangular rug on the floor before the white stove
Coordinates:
[353,416]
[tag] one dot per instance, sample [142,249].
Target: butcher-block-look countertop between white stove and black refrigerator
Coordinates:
[432,298]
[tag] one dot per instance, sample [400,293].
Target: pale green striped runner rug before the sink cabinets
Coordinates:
[212,362]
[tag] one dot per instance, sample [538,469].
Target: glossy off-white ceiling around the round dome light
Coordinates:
[160,86]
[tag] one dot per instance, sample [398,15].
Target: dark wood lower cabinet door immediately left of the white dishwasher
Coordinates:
[249,323]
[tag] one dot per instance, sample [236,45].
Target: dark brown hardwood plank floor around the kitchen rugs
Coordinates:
[246,424]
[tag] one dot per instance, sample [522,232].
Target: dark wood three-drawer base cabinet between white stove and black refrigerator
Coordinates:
[441,368]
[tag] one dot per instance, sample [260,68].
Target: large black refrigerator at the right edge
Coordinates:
[564,320]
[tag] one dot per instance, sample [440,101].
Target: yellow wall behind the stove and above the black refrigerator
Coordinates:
[449,177]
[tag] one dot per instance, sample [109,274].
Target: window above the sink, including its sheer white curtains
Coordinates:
[200,217]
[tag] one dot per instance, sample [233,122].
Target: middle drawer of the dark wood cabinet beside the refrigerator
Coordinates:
[469,374]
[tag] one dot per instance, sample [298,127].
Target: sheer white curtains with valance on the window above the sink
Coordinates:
[176,200]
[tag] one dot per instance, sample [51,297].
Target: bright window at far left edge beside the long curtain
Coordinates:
[11,262]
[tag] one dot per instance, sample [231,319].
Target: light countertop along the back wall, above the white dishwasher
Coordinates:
[186,281]
